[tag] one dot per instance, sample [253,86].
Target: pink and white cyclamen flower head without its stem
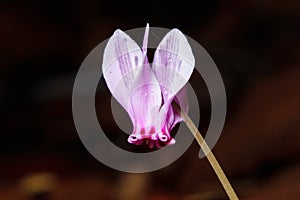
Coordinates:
[146,92]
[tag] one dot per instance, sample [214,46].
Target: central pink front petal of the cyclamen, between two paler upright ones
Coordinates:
[146,102]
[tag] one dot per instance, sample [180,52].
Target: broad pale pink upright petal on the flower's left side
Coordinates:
[122,62]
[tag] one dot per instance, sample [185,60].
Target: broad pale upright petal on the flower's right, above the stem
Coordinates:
[173,63]
